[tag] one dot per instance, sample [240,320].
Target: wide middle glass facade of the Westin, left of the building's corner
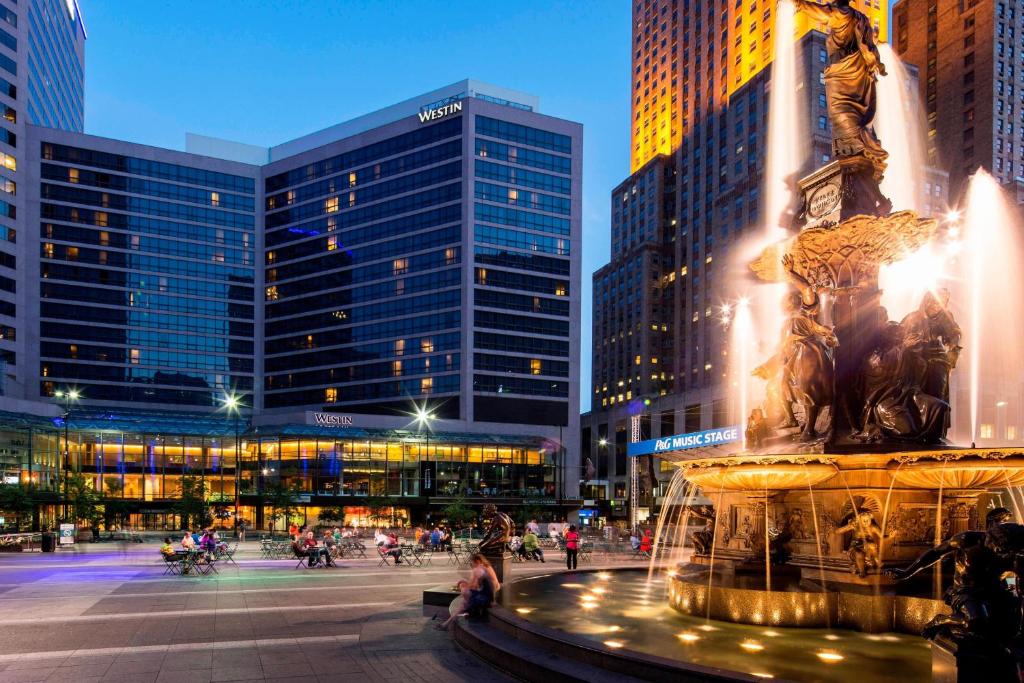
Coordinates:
[363,264]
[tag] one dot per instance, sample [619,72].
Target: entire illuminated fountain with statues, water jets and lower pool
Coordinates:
[829,524]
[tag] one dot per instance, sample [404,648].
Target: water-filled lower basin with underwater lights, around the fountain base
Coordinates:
[631,620]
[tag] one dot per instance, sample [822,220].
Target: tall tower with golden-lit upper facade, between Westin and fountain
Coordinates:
[700,88]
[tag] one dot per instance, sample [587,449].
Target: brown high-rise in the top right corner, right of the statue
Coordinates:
[971,61]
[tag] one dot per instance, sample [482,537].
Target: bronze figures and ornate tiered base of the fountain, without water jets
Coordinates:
[846,475]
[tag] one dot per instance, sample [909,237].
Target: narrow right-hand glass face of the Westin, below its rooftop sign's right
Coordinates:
[523,210]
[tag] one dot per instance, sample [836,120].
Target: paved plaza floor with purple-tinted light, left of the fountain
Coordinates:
[105,613]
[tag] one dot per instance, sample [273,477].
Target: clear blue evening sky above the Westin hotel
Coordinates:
[264,72]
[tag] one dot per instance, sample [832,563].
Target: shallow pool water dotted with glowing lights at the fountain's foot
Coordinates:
[651,626]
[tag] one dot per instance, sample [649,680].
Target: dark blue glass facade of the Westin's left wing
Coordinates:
[147,278]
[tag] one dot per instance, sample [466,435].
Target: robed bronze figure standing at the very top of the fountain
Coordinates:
[855,65]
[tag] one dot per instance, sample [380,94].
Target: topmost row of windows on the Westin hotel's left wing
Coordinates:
[112,162]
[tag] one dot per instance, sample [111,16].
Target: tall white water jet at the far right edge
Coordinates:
[994,295]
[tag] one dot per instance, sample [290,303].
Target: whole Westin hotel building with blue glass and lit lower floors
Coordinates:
[395,301]
